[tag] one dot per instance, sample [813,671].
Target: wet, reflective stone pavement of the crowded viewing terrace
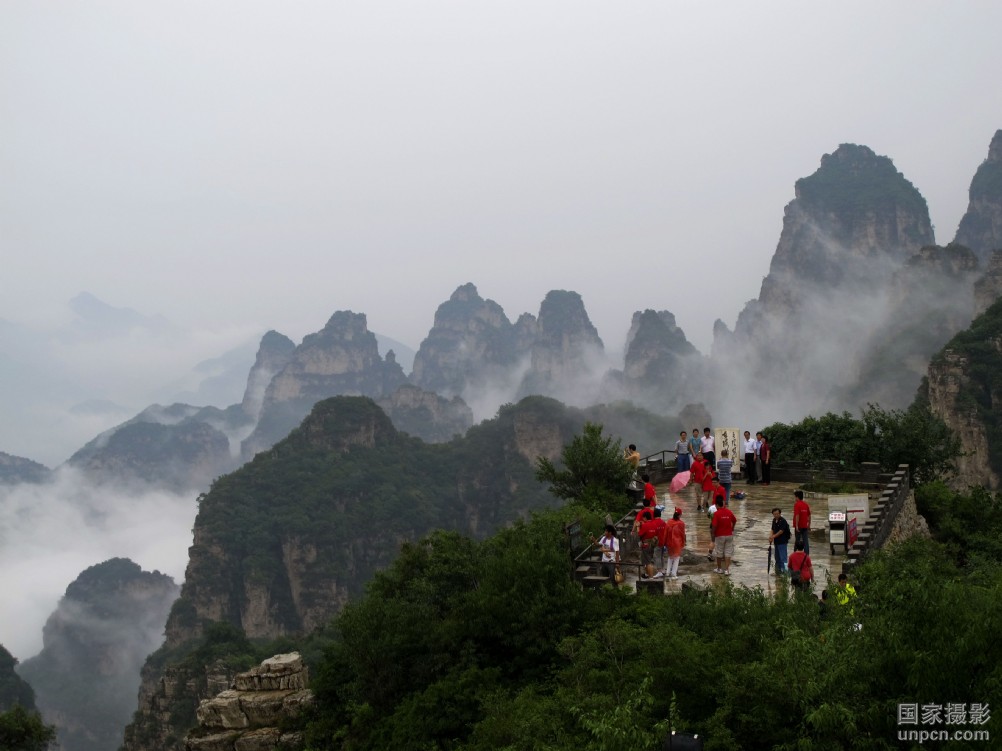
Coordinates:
[755,521]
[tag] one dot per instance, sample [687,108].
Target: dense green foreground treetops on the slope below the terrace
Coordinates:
[484,646]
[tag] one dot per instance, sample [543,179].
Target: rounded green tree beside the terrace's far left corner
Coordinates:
[595,473]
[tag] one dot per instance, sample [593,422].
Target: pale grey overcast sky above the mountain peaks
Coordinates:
[241,167]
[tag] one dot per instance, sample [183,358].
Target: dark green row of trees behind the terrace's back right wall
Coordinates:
[889,437]
